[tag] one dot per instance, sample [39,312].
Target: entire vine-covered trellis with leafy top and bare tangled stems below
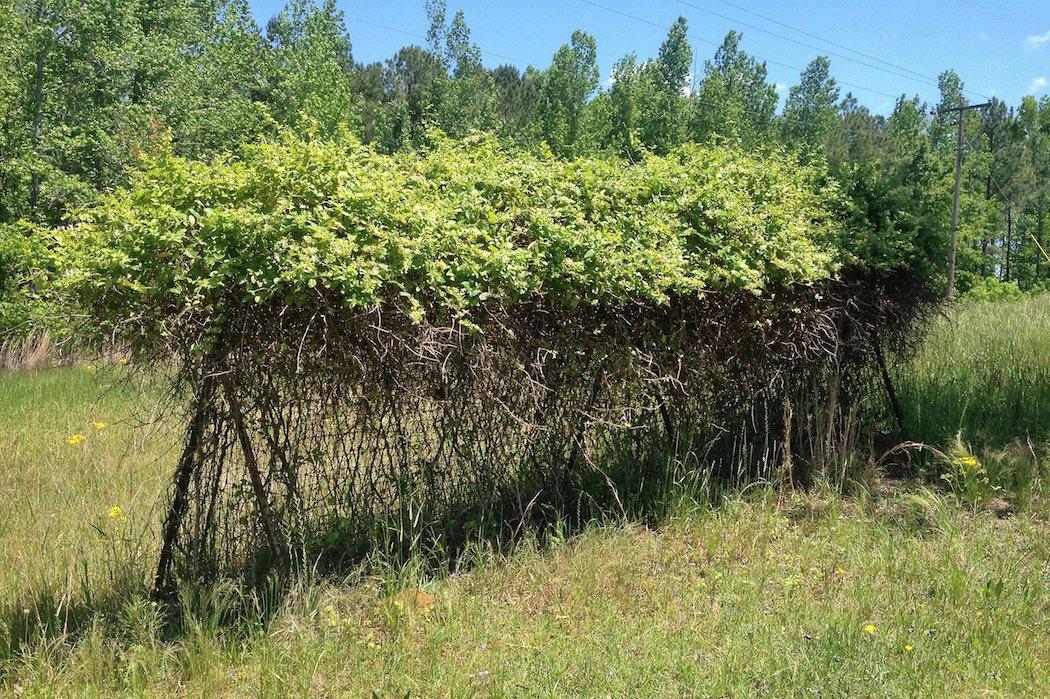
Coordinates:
[417,344]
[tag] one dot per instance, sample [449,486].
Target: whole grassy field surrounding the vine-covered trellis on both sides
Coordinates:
[897,589]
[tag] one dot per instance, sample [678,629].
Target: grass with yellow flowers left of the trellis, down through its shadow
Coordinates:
[72,451]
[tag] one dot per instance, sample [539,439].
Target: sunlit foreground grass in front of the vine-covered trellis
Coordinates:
[900,596]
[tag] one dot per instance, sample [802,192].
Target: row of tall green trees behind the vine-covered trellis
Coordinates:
[86,87]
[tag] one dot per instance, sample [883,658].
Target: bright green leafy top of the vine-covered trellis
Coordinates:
[442,234]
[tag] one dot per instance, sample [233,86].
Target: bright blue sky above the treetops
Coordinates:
[999,49]
